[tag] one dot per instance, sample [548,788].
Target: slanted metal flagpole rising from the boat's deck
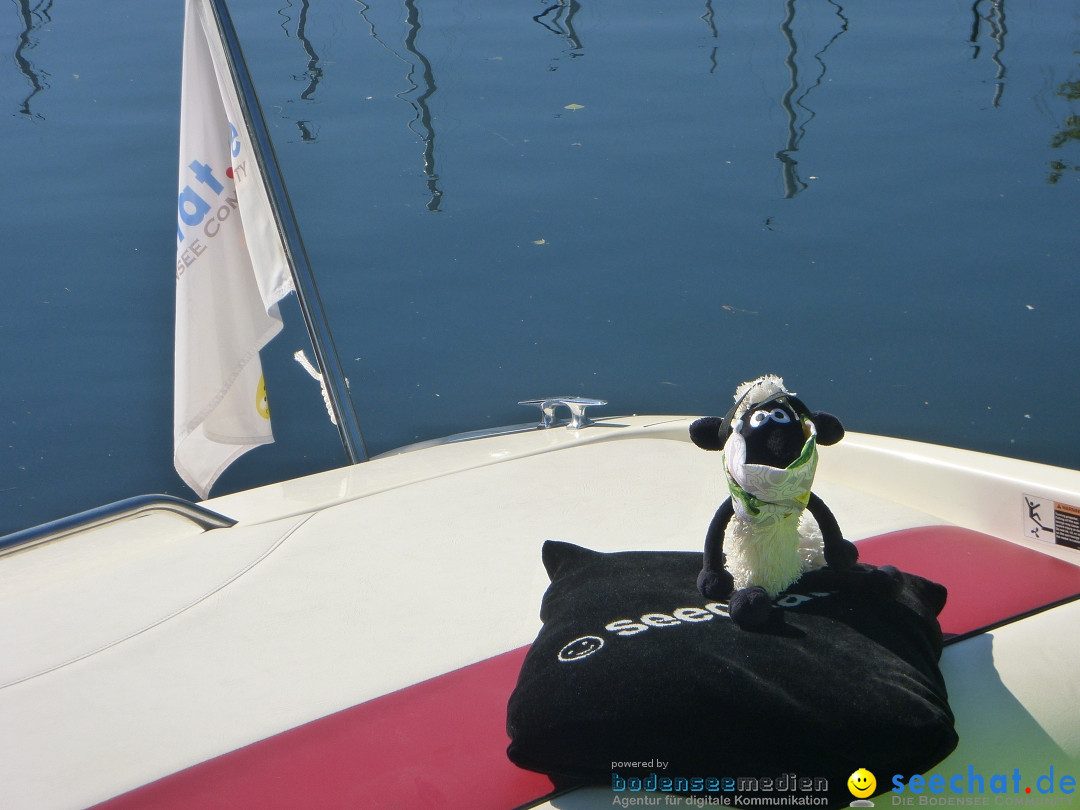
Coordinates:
[304,280]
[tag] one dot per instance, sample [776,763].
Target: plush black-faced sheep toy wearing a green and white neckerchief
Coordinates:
[761,541]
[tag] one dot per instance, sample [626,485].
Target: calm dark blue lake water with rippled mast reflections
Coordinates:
[642,202]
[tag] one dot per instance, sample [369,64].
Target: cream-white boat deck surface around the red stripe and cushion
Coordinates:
[141,649]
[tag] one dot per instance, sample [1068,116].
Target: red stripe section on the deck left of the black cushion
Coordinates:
[440,744]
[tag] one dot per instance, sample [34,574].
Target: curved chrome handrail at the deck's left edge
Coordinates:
[111,514]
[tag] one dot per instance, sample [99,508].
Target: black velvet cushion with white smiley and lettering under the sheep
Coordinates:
[637,677]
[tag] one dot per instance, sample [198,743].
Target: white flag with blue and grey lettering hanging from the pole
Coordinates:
[231,268]
